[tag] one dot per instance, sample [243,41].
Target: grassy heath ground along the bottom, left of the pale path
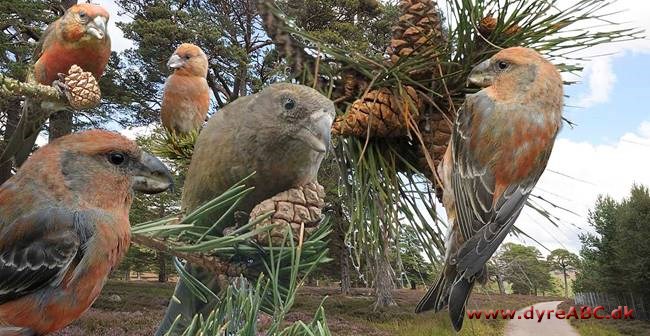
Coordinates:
[142,304]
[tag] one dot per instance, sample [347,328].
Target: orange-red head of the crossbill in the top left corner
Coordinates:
[85,22]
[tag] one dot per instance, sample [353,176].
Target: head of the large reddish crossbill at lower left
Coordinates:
[98,167]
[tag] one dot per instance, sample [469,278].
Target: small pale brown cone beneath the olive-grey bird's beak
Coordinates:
[293,207]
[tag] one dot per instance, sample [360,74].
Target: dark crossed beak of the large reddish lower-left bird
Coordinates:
[152,176]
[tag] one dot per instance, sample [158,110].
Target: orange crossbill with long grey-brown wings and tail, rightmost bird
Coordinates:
[502,138]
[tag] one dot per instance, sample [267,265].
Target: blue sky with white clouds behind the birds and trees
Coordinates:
[605,153]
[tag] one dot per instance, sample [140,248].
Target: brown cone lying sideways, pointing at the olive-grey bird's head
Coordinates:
[380,110]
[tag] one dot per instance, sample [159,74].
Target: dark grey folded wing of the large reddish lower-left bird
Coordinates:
[38,250]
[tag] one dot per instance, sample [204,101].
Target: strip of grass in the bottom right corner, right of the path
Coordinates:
[593,327]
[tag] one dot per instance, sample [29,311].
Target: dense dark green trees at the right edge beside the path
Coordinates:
[615,257]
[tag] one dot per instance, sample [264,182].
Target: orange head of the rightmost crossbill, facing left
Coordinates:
[516,66]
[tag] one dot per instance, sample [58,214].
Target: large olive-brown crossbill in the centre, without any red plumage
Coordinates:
[282,134]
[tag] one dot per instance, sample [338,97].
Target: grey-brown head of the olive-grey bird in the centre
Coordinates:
[304,115]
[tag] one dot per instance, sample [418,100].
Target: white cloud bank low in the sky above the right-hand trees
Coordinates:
[590,170]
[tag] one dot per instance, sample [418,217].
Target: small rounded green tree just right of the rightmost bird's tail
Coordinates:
[524,269]
